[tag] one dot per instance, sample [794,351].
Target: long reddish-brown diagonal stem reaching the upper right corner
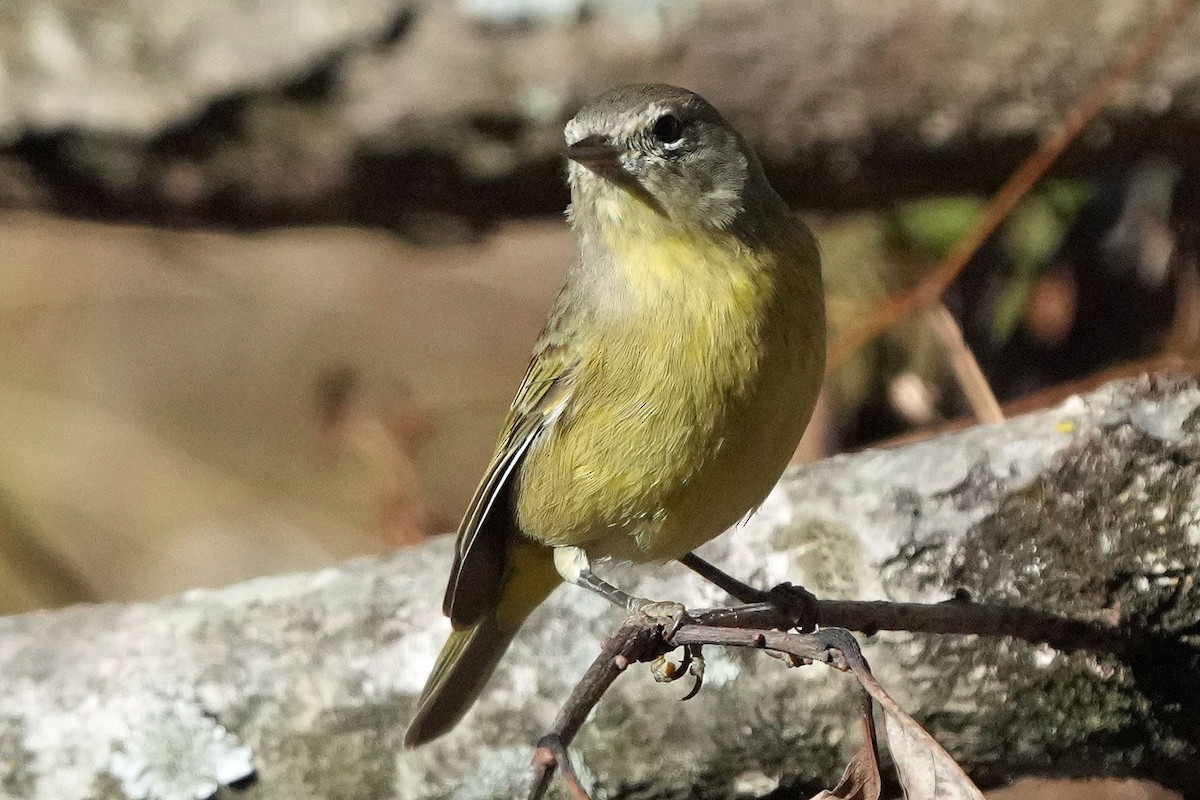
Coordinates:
[935,285]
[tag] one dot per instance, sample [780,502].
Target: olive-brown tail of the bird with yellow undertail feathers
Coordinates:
[471,654]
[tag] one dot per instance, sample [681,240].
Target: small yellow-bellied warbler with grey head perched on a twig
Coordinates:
[668,392]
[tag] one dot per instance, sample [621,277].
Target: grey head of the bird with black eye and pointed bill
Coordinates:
[665,147]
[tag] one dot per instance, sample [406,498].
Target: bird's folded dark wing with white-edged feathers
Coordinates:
[490,524]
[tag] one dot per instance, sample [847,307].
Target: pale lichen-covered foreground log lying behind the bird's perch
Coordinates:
[301,687]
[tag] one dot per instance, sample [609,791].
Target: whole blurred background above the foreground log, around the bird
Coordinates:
[271,269]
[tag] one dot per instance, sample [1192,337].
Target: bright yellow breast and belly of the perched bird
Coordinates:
[683,416]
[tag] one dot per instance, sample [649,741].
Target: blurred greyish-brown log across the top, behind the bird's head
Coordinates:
[406,113]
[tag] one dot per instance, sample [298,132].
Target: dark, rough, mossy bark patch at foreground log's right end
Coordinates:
[1106,531]
